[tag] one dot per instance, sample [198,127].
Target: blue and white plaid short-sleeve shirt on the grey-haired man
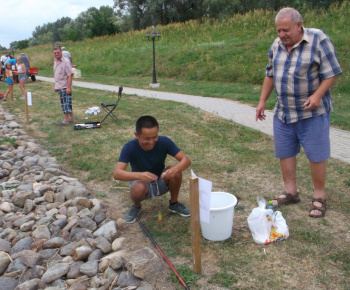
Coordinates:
[297,74]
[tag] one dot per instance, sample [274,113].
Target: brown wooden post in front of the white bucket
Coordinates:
[195,225]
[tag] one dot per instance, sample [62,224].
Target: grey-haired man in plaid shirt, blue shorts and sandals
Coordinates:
[302,68]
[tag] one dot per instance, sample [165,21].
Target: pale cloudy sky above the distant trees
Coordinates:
[19,18]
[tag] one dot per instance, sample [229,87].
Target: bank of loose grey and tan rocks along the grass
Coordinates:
[53,233]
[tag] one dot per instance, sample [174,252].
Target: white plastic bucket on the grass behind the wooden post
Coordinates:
[222,208]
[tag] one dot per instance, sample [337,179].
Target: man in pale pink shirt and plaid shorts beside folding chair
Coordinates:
[63,76]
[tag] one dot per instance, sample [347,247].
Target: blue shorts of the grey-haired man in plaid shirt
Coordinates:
[311,133]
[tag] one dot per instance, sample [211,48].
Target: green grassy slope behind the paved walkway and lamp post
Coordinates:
[209,58]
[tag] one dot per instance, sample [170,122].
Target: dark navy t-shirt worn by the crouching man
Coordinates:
[152,161]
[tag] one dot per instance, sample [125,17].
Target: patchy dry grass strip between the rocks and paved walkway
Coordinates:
[237,160]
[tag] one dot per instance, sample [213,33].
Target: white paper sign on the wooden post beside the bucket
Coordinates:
[205,187]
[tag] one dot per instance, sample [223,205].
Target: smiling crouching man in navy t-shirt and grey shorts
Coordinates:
[149,177]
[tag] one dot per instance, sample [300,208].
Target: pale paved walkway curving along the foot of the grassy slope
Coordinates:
[230,110]
